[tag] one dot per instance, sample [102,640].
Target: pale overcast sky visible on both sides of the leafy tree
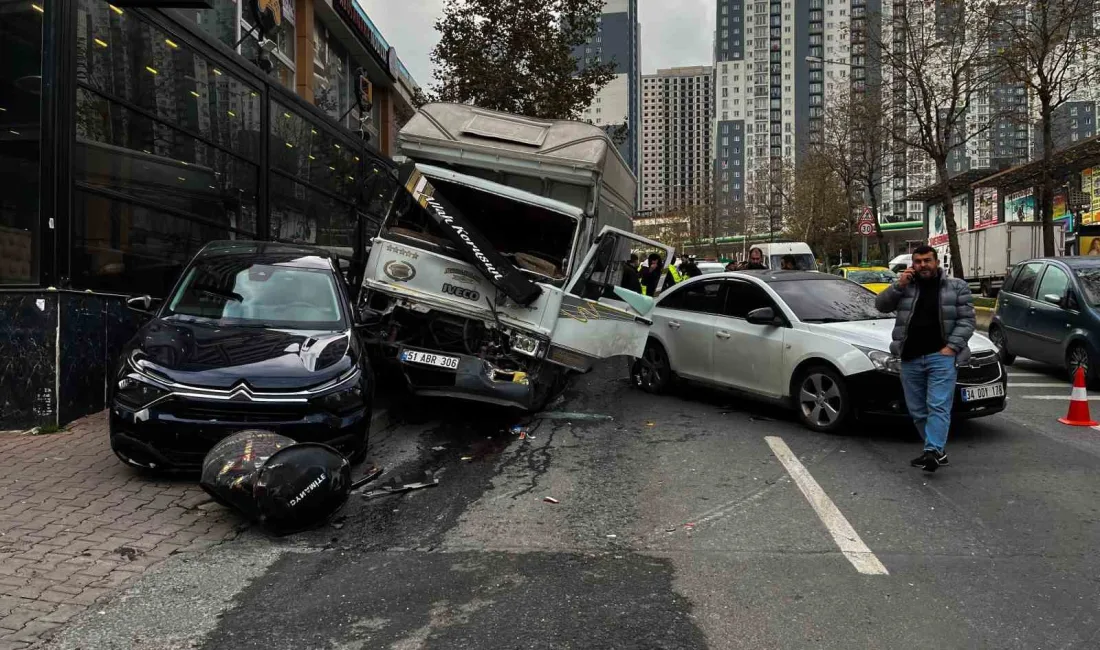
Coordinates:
[678,34]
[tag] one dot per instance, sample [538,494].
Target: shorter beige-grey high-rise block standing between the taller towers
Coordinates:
[678,112]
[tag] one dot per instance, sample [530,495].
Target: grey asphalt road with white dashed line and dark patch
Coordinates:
[677,526]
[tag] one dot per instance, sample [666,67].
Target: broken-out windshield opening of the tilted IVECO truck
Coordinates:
[535,239]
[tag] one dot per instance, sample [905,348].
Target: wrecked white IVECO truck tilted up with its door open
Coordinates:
[500,268]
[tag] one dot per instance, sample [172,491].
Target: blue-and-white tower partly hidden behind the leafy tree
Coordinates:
[618,105]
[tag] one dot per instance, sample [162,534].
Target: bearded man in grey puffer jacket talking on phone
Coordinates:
[936,320]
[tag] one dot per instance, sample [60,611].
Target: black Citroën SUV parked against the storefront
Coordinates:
[255,336]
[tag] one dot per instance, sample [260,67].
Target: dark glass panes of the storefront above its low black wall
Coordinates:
[177,142]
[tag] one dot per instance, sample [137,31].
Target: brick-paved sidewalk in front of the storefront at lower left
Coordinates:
[76,525]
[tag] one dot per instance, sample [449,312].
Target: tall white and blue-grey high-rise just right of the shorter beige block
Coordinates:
[779,64]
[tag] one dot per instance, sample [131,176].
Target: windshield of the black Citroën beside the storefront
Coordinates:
[239,292]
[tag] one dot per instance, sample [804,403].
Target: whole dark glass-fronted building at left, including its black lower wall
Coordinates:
[130,139]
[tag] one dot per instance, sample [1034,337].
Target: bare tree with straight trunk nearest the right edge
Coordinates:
[1042,43]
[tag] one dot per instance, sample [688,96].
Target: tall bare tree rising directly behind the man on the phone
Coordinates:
[940,61]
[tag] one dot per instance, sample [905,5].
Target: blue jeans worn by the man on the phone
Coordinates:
[929,383]
